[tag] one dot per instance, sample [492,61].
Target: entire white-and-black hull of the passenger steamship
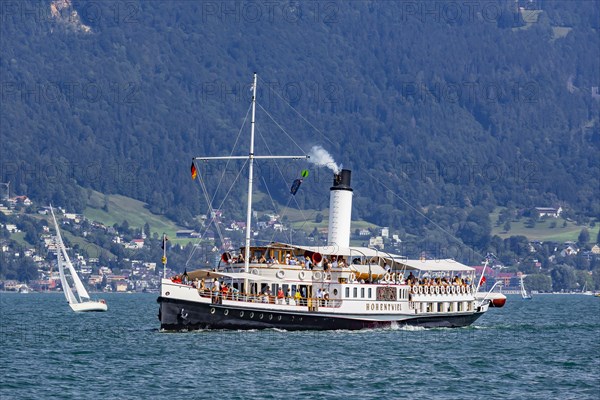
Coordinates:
[183,308]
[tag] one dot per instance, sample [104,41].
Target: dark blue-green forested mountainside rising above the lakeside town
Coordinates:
[441,105]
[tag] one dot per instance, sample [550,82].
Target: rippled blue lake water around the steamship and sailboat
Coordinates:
[546,348]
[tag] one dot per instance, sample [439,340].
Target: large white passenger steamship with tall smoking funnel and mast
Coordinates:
[334,286]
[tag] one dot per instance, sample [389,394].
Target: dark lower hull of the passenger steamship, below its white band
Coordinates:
[179,315]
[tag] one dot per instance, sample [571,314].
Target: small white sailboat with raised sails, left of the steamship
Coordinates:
[80,300]
